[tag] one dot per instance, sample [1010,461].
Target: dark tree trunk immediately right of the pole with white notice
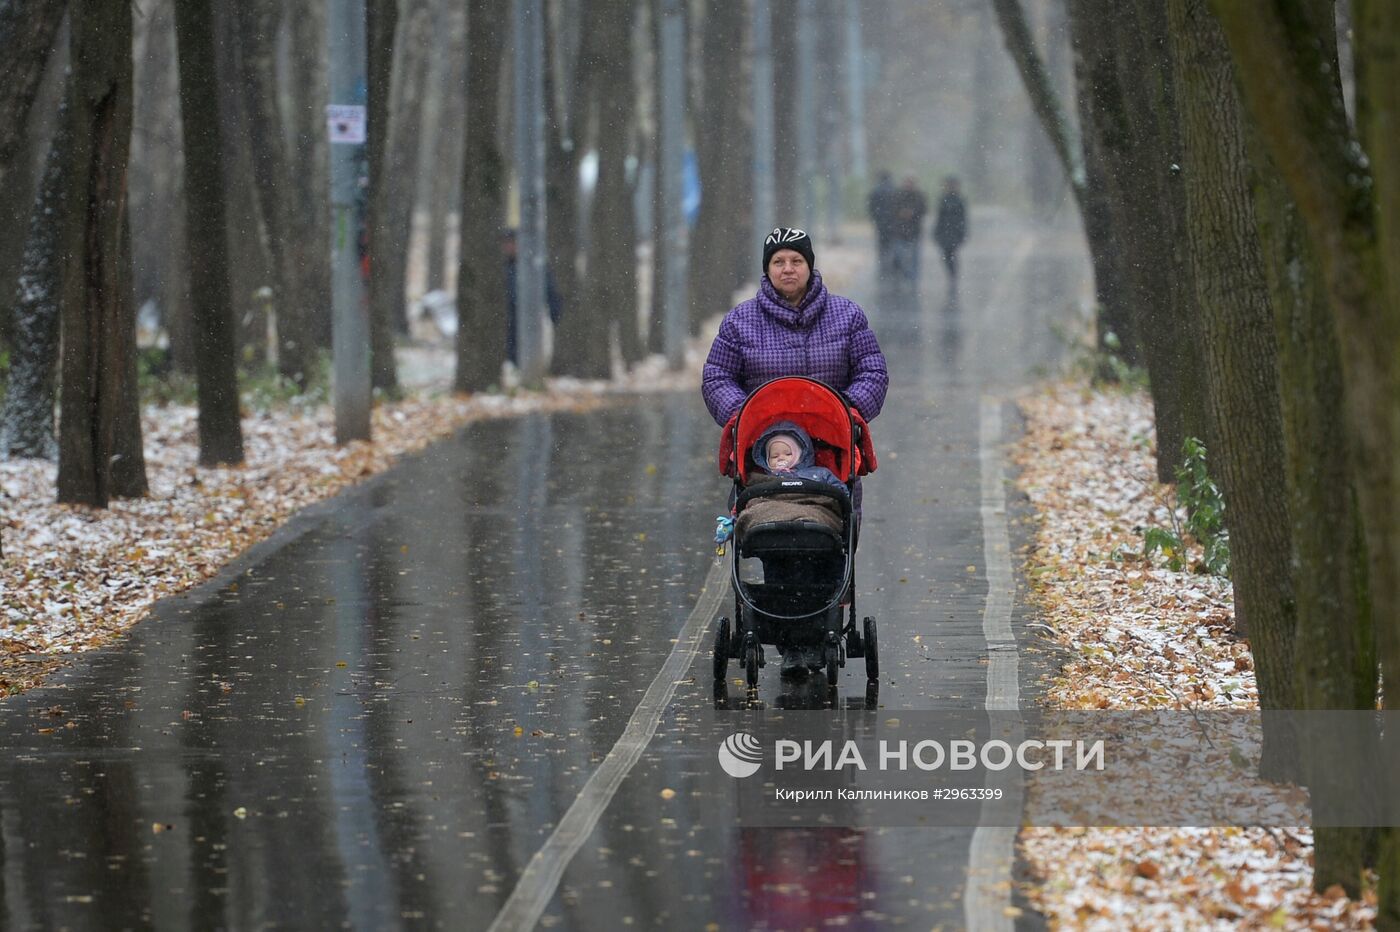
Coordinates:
[381,31]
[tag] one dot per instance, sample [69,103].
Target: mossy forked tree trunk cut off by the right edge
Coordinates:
[1347,206]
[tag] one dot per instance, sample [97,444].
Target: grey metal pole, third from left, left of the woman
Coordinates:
[677,255]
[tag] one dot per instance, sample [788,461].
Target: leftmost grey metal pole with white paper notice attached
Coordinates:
[346,127]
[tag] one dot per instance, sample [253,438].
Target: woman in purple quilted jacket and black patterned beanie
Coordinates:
[796,328]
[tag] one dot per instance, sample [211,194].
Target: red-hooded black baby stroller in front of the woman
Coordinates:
[794,539]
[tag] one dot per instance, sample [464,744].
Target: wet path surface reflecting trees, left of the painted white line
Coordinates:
[384,717]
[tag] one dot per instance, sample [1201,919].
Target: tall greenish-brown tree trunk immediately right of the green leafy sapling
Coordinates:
[1242,360]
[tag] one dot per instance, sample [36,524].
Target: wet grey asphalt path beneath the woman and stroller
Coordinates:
[380,717]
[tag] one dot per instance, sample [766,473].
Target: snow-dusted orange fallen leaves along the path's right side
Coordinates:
[1143,637]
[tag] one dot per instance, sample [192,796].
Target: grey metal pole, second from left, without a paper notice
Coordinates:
[530,183]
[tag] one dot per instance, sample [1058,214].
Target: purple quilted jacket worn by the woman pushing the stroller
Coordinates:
[825,338]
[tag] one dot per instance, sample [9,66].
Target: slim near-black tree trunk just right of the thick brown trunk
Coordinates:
[216,372]
